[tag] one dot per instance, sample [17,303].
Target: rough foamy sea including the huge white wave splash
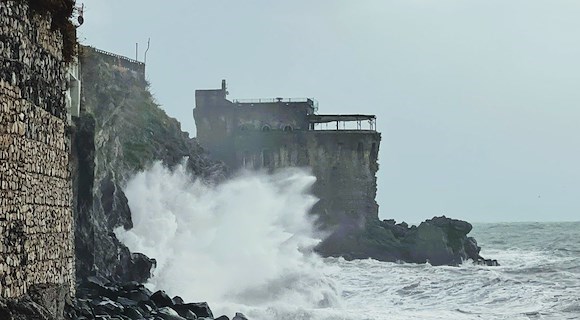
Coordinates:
[245,246]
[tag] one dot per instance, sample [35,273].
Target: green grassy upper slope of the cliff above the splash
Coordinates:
[131,127]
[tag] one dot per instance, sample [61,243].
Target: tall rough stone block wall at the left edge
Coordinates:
[36,222]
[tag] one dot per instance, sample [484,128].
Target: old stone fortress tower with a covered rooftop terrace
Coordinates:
[277,133]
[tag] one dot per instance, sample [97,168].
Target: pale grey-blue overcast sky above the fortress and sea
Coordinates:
[478,101]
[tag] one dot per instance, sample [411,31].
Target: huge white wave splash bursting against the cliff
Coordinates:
[246,241]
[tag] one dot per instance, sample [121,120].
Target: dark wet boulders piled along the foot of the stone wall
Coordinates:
[98,298]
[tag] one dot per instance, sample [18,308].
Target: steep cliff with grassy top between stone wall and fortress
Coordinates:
[121,131]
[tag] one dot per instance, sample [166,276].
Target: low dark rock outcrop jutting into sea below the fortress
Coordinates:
[439,241]
